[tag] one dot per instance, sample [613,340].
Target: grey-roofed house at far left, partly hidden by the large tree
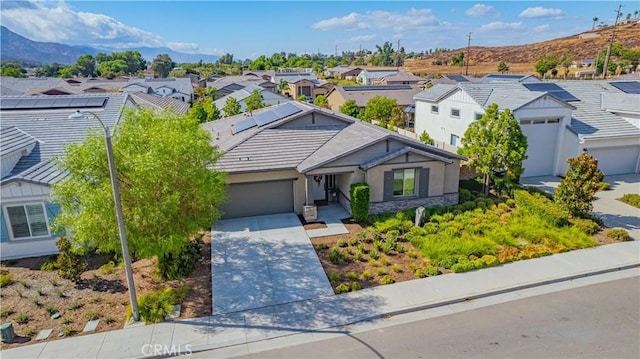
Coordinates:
[34,131]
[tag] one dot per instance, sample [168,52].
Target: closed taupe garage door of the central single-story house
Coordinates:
[258,198]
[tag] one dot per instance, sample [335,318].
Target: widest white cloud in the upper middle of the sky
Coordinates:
[413,19]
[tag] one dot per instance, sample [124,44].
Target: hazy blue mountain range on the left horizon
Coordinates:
[17,48]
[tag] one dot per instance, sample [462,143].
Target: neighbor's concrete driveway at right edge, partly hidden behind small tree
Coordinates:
[606,206]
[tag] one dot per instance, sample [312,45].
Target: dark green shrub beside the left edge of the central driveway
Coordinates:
[180,264]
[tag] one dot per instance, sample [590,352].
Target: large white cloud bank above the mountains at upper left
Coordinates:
[59,22]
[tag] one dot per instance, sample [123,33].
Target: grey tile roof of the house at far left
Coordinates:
[54,130]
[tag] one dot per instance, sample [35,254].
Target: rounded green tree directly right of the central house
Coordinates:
[496,147]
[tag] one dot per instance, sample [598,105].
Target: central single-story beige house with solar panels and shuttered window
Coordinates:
[287,156]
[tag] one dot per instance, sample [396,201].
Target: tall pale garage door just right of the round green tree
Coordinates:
[541,144]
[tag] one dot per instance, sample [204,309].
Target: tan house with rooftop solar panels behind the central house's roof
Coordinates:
[403,94]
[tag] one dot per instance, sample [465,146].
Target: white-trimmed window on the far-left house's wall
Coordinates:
[28,221]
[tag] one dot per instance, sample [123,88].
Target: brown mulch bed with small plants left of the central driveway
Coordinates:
[33,295]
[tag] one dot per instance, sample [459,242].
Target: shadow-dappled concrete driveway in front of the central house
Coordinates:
[262,261]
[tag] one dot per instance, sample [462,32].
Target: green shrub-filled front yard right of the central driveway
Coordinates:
[478,233]
